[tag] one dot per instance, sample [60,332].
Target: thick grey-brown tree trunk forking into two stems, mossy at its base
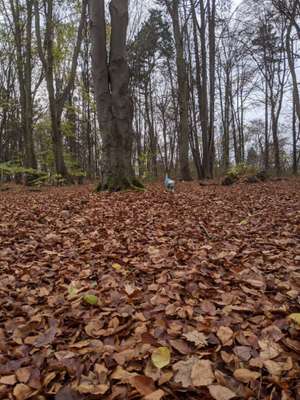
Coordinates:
[114,107]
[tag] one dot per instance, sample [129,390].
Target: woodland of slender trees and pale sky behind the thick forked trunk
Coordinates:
[209,86]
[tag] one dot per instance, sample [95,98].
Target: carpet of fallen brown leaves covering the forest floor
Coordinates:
[150,295]
